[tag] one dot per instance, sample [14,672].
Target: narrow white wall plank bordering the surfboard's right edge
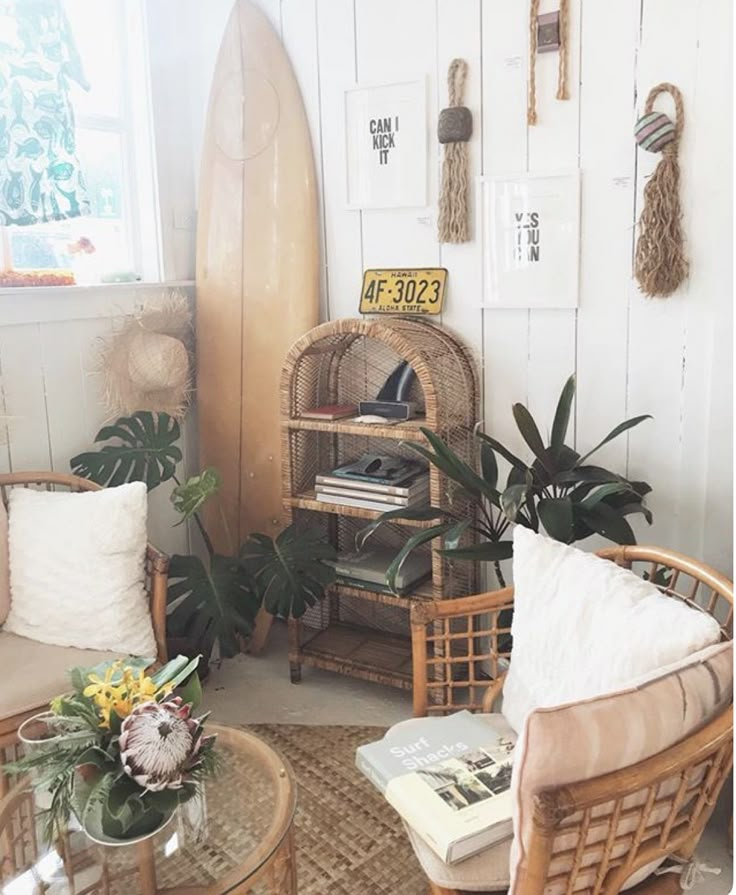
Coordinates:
[299,35]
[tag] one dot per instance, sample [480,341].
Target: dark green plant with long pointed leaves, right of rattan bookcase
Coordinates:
[558,491]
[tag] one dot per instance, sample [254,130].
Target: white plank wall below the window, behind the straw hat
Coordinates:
[50,393]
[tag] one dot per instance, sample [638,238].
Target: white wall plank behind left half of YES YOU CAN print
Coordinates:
[505,332]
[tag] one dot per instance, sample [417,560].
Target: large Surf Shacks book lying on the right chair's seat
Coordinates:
[448,778]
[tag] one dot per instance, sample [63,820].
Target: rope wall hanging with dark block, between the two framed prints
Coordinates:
[454,129]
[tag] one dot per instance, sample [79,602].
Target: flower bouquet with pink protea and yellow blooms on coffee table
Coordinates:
[120,752]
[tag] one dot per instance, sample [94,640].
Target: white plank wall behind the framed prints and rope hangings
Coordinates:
[670,358]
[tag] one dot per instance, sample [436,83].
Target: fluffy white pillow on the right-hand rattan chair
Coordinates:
[584,626]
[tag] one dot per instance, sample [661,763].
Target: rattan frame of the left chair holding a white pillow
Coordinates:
[156,581]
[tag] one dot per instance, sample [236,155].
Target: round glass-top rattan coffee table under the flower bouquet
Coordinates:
[237,837]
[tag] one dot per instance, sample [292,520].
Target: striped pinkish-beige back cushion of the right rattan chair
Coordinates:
[583,740]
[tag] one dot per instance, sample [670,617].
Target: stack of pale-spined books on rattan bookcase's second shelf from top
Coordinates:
[375,482]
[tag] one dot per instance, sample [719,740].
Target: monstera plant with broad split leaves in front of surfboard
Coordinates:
[214,599]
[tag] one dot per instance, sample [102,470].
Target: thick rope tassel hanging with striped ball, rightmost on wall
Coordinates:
[660,265]
